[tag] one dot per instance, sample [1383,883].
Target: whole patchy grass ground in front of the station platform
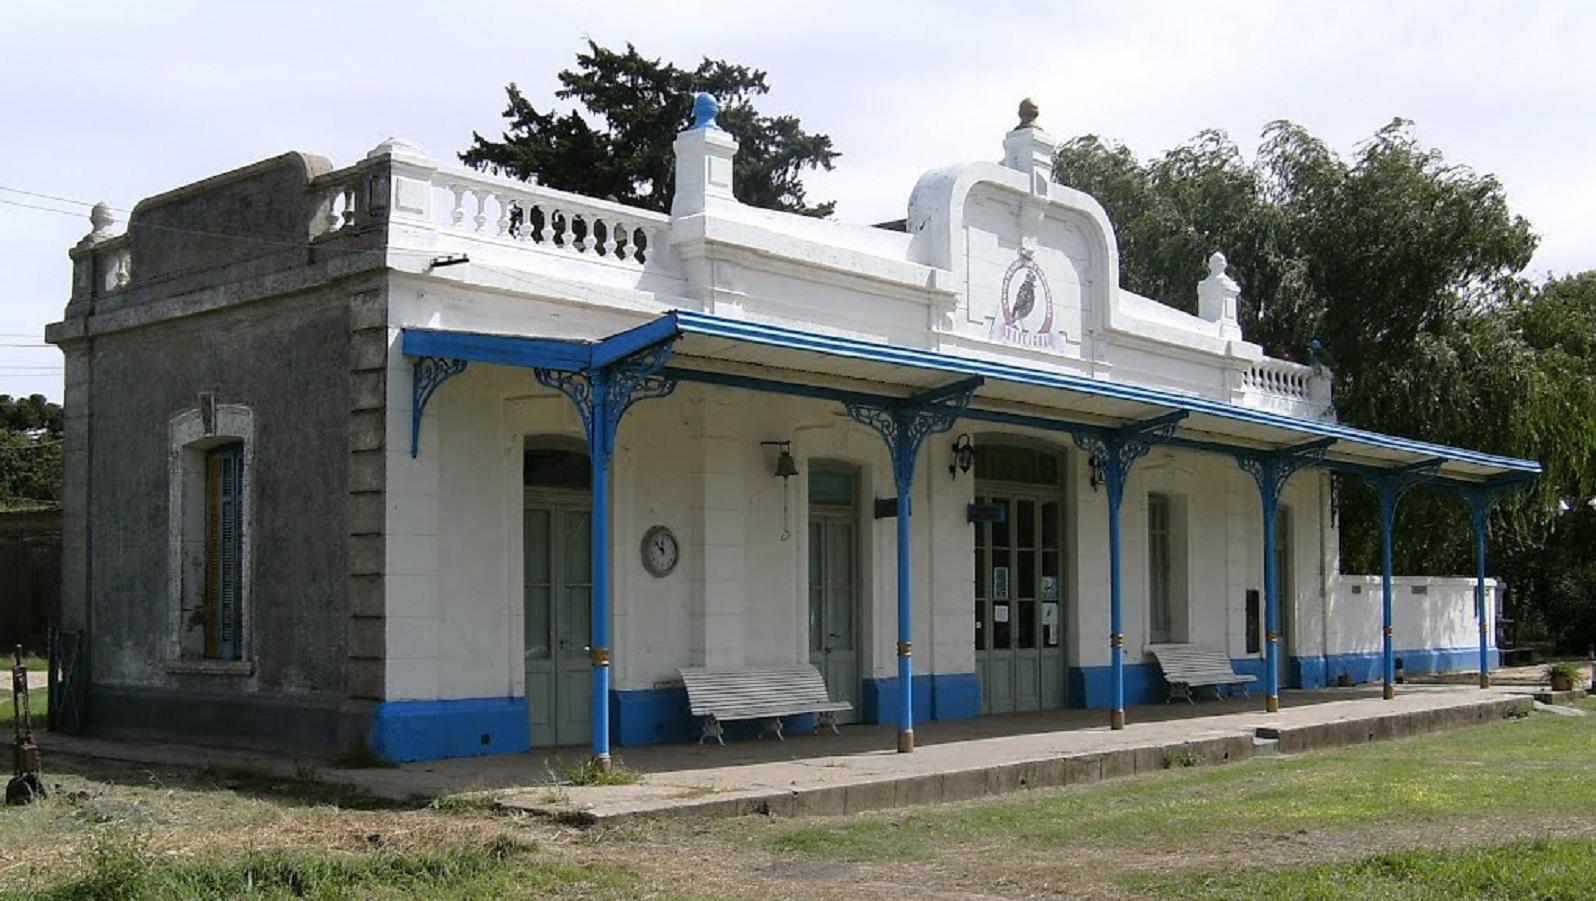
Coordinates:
[1503,811]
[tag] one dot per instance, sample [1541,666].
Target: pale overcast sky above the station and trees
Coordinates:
[119,101]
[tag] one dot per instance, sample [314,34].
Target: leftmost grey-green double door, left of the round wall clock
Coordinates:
[558,596]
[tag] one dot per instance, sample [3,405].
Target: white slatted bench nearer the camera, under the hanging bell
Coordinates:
[759,693]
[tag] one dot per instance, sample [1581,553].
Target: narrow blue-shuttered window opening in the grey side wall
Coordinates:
[224,553]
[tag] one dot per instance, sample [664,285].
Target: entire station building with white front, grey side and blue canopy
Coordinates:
[421,572]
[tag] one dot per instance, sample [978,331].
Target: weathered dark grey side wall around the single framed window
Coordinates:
[288,361]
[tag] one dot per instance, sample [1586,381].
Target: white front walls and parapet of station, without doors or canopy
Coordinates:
[695,462]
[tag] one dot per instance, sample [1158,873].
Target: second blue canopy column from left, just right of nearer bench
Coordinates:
[904,427]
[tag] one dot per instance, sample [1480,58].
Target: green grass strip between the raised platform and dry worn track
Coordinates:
[1544,766]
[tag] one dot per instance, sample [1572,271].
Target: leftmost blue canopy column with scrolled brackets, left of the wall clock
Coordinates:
[602,396]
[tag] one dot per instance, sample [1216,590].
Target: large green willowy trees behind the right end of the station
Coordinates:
[1410,270]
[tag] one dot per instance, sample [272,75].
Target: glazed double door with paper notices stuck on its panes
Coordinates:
[1019,602]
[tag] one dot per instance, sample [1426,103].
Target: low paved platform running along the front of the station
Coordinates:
[858,769]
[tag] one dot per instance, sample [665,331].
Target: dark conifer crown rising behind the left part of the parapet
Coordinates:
[618,144]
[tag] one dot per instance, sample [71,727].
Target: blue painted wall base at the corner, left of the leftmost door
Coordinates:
[432,730]
